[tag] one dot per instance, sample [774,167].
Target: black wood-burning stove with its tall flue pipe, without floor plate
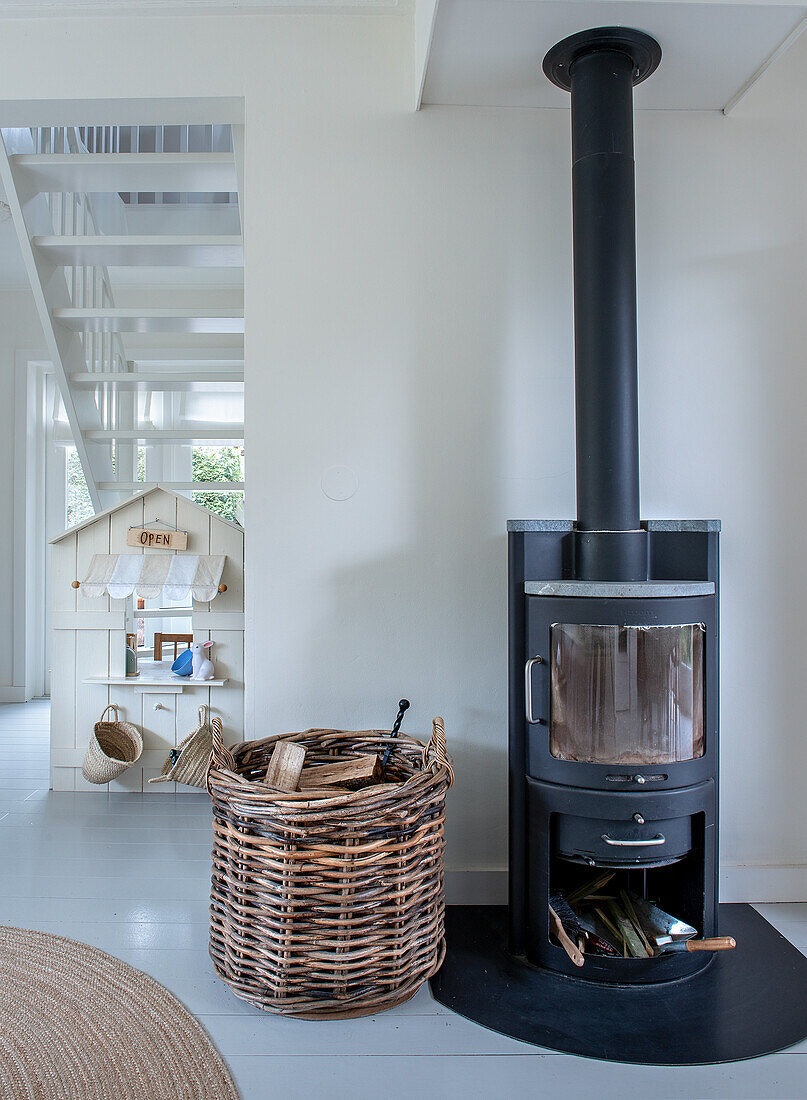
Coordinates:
[614,623]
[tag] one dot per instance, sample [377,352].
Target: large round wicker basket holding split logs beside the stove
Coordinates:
[329,908]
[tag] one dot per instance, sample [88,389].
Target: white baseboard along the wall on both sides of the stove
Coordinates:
[738,883]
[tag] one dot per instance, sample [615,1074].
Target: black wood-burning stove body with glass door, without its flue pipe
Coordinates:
[614,728]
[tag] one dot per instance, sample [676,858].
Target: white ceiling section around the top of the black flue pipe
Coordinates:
[490,52]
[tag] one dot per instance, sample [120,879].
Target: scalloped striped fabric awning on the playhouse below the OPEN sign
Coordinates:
[149,576]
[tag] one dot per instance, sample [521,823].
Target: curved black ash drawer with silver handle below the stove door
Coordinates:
[622,843]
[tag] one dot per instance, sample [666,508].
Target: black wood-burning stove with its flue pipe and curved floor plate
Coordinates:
[614,694]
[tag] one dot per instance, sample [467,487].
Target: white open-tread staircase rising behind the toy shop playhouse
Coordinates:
[92,201]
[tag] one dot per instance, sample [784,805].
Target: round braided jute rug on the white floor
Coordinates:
[78,1025]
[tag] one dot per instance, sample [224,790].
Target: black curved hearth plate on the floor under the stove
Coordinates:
[747,1003]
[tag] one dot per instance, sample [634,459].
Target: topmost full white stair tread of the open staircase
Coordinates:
[127,172]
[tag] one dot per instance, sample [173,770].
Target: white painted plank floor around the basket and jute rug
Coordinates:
[129,874]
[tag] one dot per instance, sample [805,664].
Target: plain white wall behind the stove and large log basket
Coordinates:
[408,310]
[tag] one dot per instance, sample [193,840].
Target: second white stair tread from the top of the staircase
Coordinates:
[197,251]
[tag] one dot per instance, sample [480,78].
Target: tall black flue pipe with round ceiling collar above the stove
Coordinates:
[601,69]
